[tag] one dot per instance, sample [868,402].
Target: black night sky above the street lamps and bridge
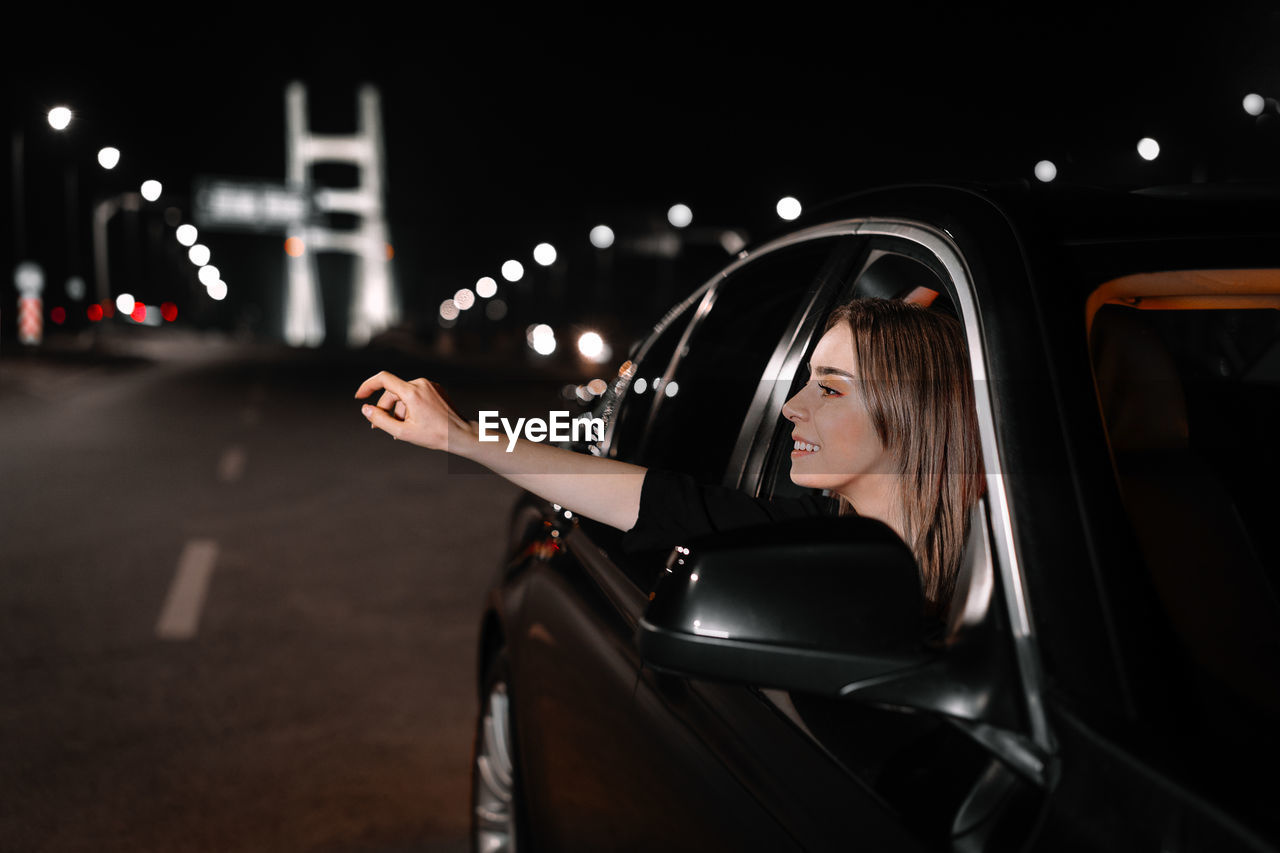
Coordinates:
[508,130]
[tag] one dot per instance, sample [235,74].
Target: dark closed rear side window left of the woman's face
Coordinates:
[700,409]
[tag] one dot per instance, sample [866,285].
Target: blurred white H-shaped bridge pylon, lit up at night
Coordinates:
[374,304]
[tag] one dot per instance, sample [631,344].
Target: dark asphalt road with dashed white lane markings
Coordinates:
[232,617]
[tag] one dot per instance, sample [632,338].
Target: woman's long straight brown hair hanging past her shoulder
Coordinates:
[915,380]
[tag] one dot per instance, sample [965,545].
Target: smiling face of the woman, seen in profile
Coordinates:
[836,446]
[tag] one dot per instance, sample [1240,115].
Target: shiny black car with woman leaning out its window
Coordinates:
[1109,677]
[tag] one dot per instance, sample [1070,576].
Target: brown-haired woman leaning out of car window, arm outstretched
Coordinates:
[886,423]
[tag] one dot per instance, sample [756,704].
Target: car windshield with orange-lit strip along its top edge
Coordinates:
[1188,381]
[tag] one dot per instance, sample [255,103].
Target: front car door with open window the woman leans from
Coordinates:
[847,774]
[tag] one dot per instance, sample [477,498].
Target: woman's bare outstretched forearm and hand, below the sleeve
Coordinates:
[605,490]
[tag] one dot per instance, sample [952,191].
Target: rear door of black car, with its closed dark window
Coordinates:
[595,769]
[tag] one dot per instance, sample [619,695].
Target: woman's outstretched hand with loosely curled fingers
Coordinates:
[413,412]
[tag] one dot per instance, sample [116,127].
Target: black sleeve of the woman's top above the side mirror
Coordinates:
[675,508]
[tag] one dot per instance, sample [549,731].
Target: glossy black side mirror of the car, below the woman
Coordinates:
[819,605]
